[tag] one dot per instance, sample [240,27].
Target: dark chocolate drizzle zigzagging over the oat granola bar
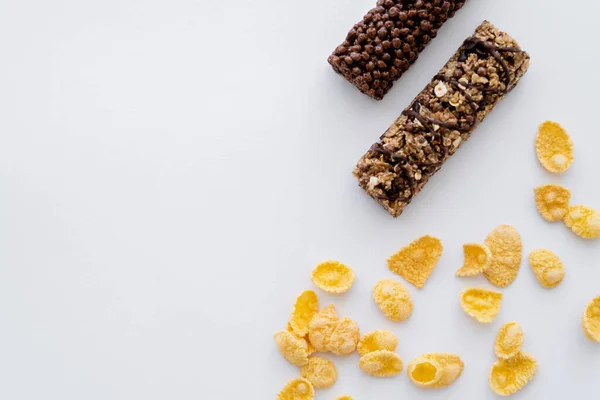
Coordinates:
[402,164]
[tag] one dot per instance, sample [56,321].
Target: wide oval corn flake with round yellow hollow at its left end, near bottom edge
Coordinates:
[435,370]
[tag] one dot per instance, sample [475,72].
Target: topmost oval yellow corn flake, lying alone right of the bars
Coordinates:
[554,147]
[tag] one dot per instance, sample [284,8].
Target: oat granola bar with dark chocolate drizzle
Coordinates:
[485,68]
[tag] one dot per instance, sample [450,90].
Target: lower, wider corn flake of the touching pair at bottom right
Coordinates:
[509,376]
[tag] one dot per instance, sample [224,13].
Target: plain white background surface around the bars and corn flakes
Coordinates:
[171,172]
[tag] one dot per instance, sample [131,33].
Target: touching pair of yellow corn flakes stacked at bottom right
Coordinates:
[513,369]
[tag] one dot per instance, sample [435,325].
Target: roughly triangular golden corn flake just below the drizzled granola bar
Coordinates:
[416,261]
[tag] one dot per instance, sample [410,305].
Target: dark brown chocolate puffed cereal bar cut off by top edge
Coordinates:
[381,47]
